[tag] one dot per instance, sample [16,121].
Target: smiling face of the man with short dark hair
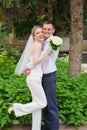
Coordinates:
[48,30]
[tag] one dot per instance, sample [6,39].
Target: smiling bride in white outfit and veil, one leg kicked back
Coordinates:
[32,52]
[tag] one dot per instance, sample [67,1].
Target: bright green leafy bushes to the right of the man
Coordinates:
[72,95]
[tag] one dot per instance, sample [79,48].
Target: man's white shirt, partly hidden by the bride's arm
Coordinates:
[48,65]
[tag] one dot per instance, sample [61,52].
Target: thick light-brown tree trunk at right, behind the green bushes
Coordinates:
[76,37]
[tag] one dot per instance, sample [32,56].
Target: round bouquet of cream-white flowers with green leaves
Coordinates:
[55,42]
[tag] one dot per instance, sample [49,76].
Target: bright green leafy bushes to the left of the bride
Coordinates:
[12,89]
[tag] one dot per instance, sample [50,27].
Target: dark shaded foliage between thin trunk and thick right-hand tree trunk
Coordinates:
[61,17]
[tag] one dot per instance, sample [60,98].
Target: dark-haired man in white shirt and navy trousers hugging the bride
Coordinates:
[50,112]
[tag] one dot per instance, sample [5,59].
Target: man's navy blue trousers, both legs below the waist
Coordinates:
[51,111]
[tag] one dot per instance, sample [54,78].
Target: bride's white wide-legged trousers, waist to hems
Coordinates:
[34,82]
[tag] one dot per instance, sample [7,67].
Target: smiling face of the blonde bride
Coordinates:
[38,35]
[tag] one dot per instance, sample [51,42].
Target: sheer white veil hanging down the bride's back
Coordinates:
[25,58]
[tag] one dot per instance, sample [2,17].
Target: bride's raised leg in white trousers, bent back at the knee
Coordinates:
[38,97]
